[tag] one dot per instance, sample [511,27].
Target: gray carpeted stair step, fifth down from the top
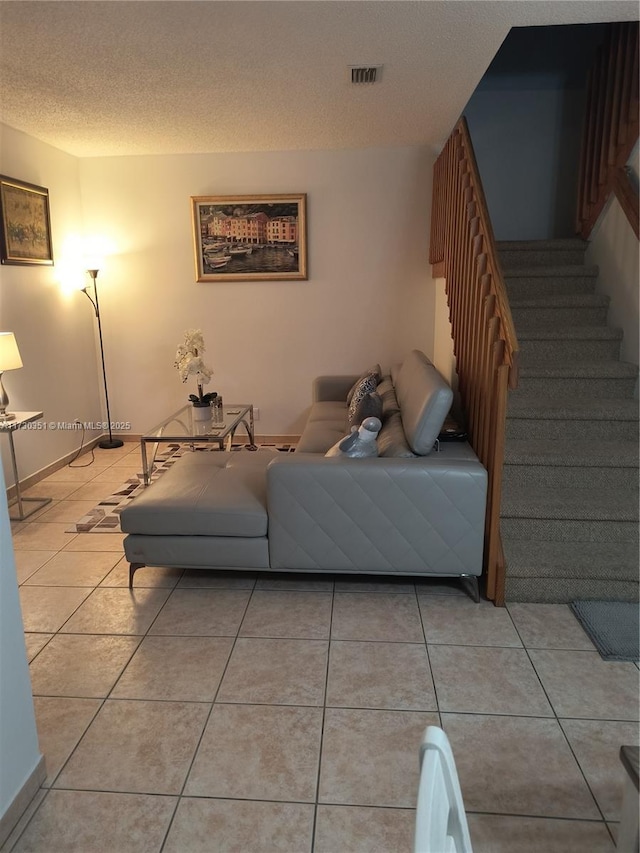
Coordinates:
[603,379]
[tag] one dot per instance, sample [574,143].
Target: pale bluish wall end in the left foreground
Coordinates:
[19,750]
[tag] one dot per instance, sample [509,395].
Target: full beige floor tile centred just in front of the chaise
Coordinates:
[202,612]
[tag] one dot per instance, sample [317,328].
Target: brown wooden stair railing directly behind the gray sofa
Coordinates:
[463,251]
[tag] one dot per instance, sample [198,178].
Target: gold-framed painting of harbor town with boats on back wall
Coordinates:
[250,238]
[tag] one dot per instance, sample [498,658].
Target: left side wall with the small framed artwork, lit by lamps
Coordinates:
[55,330]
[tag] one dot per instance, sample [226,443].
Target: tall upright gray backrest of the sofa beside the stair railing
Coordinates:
[422,413]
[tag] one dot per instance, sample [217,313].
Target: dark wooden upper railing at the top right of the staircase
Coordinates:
[611,125]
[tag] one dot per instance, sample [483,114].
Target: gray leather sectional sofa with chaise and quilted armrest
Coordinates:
[413,510]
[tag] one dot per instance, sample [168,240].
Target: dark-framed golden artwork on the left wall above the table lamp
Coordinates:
[26,223]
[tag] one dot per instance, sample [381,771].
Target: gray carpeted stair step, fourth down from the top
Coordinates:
[581,343]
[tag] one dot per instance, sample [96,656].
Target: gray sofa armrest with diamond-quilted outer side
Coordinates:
[423,515]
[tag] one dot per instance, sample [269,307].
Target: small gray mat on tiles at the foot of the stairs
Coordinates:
[613,626]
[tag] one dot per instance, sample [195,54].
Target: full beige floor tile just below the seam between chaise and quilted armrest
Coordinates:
[293,614]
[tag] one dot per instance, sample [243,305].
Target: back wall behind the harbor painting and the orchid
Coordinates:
[369,297]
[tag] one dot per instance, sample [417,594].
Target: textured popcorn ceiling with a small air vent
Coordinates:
[147,77]
